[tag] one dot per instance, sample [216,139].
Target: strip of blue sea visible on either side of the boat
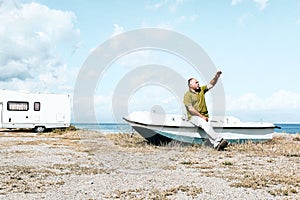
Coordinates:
[290,128]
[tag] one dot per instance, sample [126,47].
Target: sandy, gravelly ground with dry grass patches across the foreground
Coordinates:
[89,165]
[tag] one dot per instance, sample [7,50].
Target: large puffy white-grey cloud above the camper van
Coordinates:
[31,36]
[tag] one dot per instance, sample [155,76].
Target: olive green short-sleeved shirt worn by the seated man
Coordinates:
[197,100]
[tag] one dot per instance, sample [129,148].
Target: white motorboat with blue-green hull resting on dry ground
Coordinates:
[163,128]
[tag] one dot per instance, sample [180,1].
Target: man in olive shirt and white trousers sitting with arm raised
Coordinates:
[194,101]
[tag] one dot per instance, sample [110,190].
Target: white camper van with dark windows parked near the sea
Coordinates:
[33,110]
